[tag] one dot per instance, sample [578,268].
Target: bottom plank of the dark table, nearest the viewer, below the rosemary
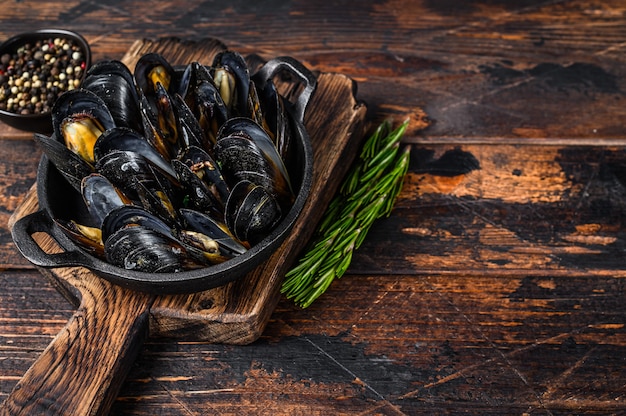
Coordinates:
[467,338]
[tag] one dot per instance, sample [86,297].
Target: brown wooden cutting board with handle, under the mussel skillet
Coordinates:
[82,369]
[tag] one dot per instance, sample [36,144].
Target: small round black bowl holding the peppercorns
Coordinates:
[41,122]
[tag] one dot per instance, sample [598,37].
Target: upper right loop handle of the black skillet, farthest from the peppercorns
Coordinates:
[295,67]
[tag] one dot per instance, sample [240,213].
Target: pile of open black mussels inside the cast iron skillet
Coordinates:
[179,168]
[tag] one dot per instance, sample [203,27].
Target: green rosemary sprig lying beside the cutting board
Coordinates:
[367,193]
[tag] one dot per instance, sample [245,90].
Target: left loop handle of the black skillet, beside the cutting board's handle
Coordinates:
[40,221]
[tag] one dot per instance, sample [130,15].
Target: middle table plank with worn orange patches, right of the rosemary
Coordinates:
[496,209]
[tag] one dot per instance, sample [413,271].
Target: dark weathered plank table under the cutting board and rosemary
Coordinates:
[497,284]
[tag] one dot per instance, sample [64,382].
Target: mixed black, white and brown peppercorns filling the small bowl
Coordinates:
[34,75]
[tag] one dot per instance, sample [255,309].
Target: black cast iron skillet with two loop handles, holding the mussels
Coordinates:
[57,199]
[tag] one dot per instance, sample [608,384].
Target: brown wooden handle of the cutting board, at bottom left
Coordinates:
[81,371]
